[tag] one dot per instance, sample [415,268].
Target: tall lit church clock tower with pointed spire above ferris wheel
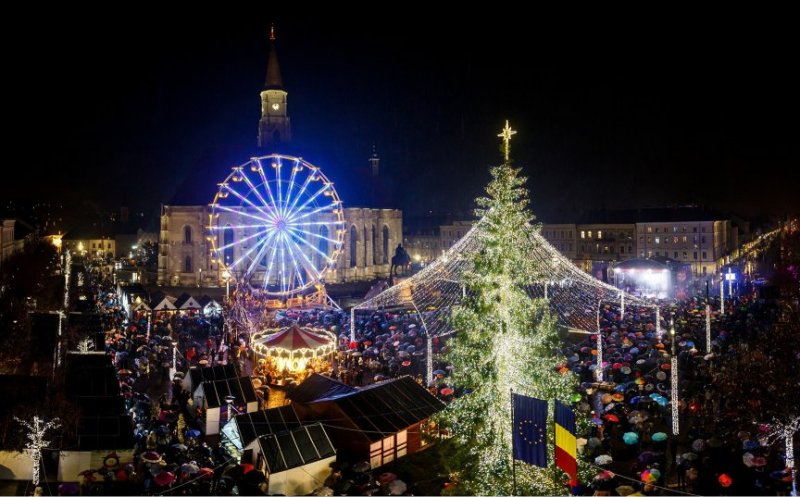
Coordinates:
[274,128]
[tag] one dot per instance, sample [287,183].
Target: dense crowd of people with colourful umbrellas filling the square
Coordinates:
[629,441]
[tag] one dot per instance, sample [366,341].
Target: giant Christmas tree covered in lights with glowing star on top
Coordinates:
[505,340]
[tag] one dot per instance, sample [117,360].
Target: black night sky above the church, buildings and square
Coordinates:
[148,108]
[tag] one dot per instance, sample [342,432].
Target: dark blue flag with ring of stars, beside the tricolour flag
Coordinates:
[530,430]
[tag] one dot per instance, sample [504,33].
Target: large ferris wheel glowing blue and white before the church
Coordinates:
[276,223]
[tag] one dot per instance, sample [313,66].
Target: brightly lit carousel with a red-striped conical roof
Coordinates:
[290,354]
